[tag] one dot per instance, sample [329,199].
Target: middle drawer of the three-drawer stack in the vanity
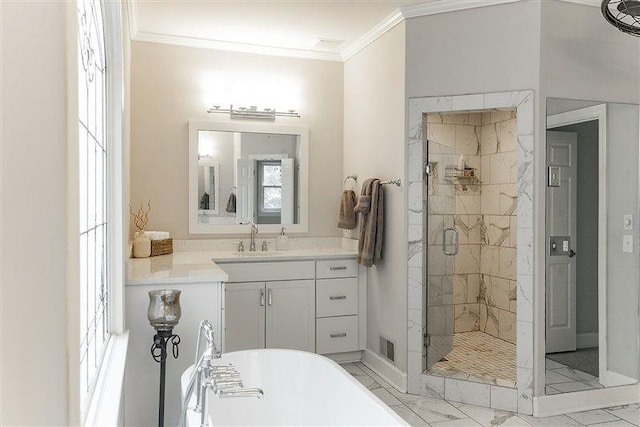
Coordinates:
[336,297]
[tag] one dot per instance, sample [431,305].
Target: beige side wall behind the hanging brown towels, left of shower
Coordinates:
[374,147]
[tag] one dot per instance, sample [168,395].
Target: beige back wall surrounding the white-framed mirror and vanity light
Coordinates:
[169,85]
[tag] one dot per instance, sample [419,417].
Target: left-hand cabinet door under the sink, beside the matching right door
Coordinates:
[244,316]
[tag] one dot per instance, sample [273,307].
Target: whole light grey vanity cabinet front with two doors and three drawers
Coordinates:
[312,305]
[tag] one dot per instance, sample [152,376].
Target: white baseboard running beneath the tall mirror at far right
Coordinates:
[557,404]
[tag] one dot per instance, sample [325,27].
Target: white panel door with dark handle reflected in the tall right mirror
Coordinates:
[561,214]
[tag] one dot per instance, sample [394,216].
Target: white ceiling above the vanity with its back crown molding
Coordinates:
[304,28]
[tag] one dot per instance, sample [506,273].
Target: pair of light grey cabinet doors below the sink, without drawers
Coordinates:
[275,314]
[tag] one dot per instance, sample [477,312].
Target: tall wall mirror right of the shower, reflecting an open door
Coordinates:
[592,323]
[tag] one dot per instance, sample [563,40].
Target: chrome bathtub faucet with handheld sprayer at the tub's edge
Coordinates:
[223,380]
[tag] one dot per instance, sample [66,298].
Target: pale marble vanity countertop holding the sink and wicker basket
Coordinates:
[201,266]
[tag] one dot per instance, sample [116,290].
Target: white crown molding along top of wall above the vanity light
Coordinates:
[149,37]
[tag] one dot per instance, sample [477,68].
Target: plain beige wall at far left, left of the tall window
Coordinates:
[33,360]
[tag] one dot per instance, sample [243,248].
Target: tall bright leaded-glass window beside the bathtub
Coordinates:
[93,194]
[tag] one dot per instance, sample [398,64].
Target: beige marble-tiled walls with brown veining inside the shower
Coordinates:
[482,275]
